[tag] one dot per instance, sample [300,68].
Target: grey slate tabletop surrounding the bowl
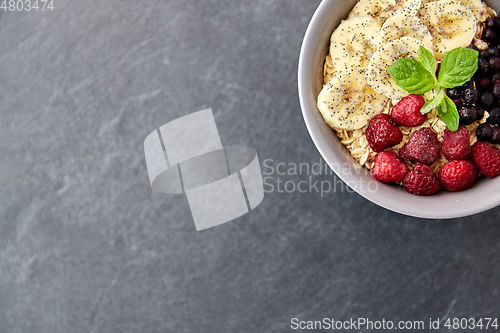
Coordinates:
[87,246]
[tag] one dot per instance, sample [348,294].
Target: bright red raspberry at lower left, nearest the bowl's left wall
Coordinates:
[387,167]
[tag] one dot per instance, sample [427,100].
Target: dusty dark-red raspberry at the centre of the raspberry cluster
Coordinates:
[422,147]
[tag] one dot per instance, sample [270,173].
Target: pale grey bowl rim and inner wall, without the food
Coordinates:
[310,115]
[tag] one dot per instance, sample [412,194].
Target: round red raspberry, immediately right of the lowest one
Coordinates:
[458,175]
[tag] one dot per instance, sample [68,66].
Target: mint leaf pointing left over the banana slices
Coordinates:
[412,76]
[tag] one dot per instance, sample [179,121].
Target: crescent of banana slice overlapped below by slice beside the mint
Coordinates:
[404,26]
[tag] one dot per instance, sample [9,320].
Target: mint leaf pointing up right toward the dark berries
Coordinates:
[457,67]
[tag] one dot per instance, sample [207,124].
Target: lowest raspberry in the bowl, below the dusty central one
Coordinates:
[421,181]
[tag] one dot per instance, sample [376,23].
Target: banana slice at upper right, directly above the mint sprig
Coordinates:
[451,24]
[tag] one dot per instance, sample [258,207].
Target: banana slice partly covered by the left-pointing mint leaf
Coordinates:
[376,72]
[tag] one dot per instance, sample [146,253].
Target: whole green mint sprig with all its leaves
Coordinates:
[418,77]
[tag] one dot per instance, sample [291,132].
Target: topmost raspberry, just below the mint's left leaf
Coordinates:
[407,111]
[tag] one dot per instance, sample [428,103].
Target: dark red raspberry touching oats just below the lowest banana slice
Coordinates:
[382,134]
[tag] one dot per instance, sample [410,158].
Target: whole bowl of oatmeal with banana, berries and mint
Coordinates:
[402,100]
